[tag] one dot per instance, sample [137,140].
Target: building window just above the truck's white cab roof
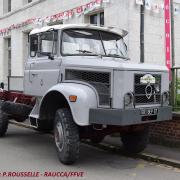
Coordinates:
[97,19]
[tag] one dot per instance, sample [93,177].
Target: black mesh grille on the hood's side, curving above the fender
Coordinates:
[99,80]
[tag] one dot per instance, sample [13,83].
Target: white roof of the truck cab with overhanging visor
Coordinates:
[84,26]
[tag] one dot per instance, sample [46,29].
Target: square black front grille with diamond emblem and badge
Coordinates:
[140,92]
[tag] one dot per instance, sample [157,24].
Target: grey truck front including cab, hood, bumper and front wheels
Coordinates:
[85,86]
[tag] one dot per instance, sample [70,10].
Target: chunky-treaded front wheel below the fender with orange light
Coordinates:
[66,137]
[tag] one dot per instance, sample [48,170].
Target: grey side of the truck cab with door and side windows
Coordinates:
[43,70]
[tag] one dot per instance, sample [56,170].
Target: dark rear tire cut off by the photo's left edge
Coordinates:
[3,123]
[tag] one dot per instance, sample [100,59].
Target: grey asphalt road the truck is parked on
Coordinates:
[26,150]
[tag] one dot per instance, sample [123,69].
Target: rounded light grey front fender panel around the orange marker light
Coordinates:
[86,99]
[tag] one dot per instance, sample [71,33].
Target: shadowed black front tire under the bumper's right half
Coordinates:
[135,142]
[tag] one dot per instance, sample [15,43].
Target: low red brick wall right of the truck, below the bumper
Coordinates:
[167,133]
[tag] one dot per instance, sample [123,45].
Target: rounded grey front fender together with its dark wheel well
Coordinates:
[58,97]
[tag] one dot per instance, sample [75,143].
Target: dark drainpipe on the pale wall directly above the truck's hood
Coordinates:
[142,10]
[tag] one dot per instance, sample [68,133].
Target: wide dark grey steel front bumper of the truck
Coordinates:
[126,117]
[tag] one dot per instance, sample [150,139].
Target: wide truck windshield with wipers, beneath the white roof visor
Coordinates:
[92,42]
